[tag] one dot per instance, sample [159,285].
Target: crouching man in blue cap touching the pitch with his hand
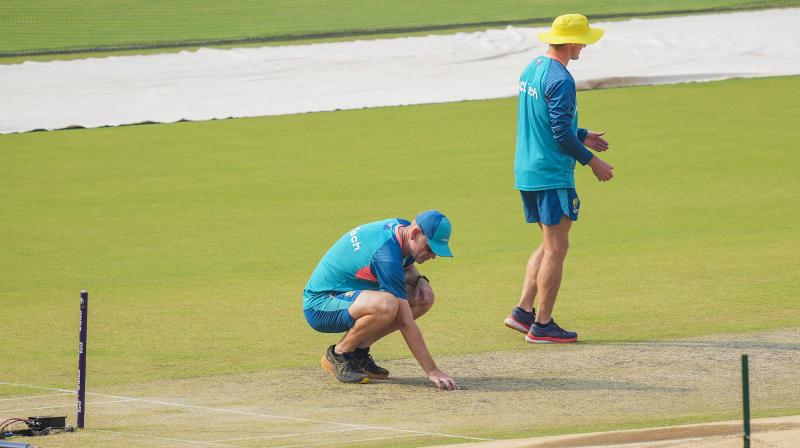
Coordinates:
[367,286]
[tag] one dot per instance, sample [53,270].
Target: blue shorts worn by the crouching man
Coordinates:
[328,312]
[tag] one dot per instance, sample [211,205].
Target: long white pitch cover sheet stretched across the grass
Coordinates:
[248,82]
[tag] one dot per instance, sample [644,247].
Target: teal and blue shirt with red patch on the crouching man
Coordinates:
[368,257]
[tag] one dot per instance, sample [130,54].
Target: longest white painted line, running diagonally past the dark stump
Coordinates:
[253,414]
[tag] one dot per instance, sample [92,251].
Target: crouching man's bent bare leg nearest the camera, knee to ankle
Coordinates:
[373,311]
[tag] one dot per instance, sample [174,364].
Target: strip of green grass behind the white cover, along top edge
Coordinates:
[89,24]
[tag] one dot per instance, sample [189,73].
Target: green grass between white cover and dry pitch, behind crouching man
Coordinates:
[195,239]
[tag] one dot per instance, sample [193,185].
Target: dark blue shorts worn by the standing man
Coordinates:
[548,206]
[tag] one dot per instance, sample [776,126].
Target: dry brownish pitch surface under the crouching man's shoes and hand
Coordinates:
[535,391]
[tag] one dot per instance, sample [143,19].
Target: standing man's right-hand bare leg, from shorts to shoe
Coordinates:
[554,250]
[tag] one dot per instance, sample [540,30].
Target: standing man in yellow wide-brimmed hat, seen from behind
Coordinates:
[549,142]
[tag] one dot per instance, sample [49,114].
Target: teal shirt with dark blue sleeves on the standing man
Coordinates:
[548,137]
